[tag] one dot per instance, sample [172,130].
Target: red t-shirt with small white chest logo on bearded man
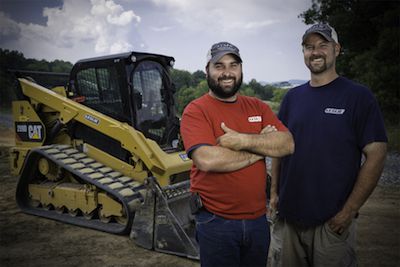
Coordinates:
[239,194]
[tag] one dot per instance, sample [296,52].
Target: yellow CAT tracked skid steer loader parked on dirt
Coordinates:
[103,151]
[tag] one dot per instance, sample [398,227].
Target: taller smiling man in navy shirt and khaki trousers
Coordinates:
[340,148]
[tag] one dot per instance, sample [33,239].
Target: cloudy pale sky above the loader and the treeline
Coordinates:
[267,32]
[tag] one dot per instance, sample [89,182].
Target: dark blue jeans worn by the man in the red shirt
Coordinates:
[225,242]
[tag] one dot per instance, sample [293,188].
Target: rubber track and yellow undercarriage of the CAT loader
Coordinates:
[60,182]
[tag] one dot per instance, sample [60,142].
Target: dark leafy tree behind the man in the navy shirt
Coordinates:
[369,33]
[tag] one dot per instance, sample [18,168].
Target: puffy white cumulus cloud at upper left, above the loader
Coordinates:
[103,24]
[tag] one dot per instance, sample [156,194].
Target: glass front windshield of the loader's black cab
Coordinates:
[149,91]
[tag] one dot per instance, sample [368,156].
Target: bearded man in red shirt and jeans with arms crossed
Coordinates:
[227,136]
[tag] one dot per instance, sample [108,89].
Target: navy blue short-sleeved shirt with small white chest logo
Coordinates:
[330,124]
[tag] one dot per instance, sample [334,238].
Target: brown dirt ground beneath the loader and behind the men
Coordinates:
[27,240]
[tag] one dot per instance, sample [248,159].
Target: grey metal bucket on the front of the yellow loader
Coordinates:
[164,222]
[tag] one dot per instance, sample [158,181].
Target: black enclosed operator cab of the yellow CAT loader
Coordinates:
[132,87]
